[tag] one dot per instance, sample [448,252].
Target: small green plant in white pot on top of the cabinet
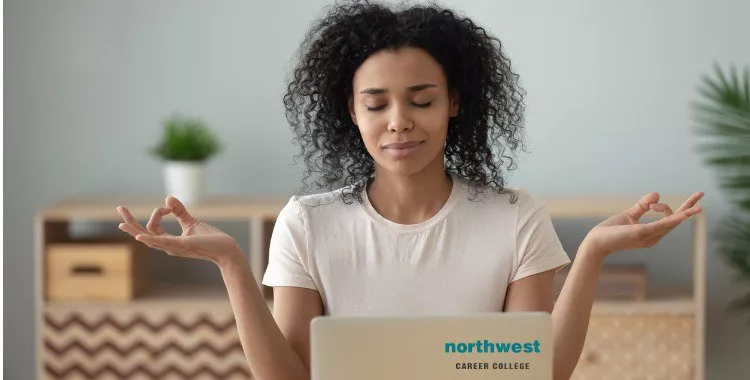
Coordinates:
[186,146]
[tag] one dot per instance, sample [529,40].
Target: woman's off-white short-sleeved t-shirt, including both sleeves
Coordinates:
[459,261]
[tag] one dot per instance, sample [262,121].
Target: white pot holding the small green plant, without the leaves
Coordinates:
[184,180]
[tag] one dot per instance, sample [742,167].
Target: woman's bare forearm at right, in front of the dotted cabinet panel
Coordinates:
[572,311]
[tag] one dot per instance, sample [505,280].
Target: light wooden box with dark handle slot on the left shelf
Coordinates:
[96,270]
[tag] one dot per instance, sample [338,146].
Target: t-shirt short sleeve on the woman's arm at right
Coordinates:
[537,245]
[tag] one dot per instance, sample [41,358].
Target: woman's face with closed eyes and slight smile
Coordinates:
[401,97]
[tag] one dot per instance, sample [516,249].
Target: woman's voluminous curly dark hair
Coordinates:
[491,100]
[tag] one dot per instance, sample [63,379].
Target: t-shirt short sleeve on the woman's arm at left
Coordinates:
[287,255]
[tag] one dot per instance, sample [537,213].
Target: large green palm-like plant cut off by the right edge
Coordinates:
[724,116]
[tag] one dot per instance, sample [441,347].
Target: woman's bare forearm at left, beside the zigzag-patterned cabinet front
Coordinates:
[268,354]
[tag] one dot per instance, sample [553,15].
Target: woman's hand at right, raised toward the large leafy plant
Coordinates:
[622,231]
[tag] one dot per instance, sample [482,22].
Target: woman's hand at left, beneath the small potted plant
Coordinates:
[198,239]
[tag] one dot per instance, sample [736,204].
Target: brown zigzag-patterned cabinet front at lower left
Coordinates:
[117,344]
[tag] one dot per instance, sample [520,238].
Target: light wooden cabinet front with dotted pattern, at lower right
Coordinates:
[638,347]
